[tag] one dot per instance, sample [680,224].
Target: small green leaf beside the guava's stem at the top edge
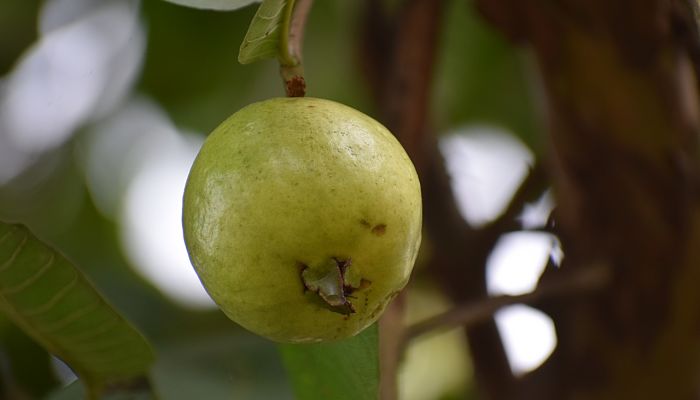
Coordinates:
[267,33]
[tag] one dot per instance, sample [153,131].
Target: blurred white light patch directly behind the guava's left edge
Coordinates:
[136,164]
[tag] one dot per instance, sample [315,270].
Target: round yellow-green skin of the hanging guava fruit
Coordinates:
[287,187]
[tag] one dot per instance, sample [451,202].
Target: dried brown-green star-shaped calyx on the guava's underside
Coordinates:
[333,282]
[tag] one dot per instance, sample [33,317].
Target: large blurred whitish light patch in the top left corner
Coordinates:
[81,67]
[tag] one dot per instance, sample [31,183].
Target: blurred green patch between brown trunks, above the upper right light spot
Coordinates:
[481,78]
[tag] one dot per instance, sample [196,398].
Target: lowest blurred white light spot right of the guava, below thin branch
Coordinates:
[528,336]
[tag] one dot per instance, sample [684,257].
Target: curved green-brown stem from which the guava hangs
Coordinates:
[291,66]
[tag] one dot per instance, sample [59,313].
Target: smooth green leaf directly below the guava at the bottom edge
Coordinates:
[345,370]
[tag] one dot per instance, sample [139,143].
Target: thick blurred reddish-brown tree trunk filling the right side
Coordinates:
[620,81]
